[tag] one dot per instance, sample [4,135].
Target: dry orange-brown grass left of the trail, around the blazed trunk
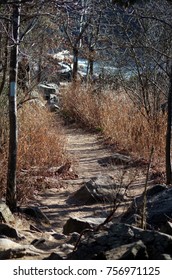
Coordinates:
[41,144]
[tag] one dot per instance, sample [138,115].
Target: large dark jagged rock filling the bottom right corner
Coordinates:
[122,241]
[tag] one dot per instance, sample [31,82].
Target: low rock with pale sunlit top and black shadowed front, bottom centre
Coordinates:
[79,224]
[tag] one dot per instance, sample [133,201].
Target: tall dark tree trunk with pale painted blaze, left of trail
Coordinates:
[13,137]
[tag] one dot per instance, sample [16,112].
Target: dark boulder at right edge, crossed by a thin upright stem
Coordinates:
[159,206]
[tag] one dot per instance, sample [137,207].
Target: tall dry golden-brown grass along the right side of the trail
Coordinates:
[122,124]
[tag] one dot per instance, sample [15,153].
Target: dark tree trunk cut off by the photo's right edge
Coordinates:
[168,133]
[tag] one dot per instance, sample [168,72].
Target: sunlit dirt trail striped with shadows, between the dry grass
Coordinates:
[87,150]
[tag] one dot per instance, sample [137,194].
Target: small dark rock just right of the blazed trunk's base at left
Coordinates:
[35,213]
